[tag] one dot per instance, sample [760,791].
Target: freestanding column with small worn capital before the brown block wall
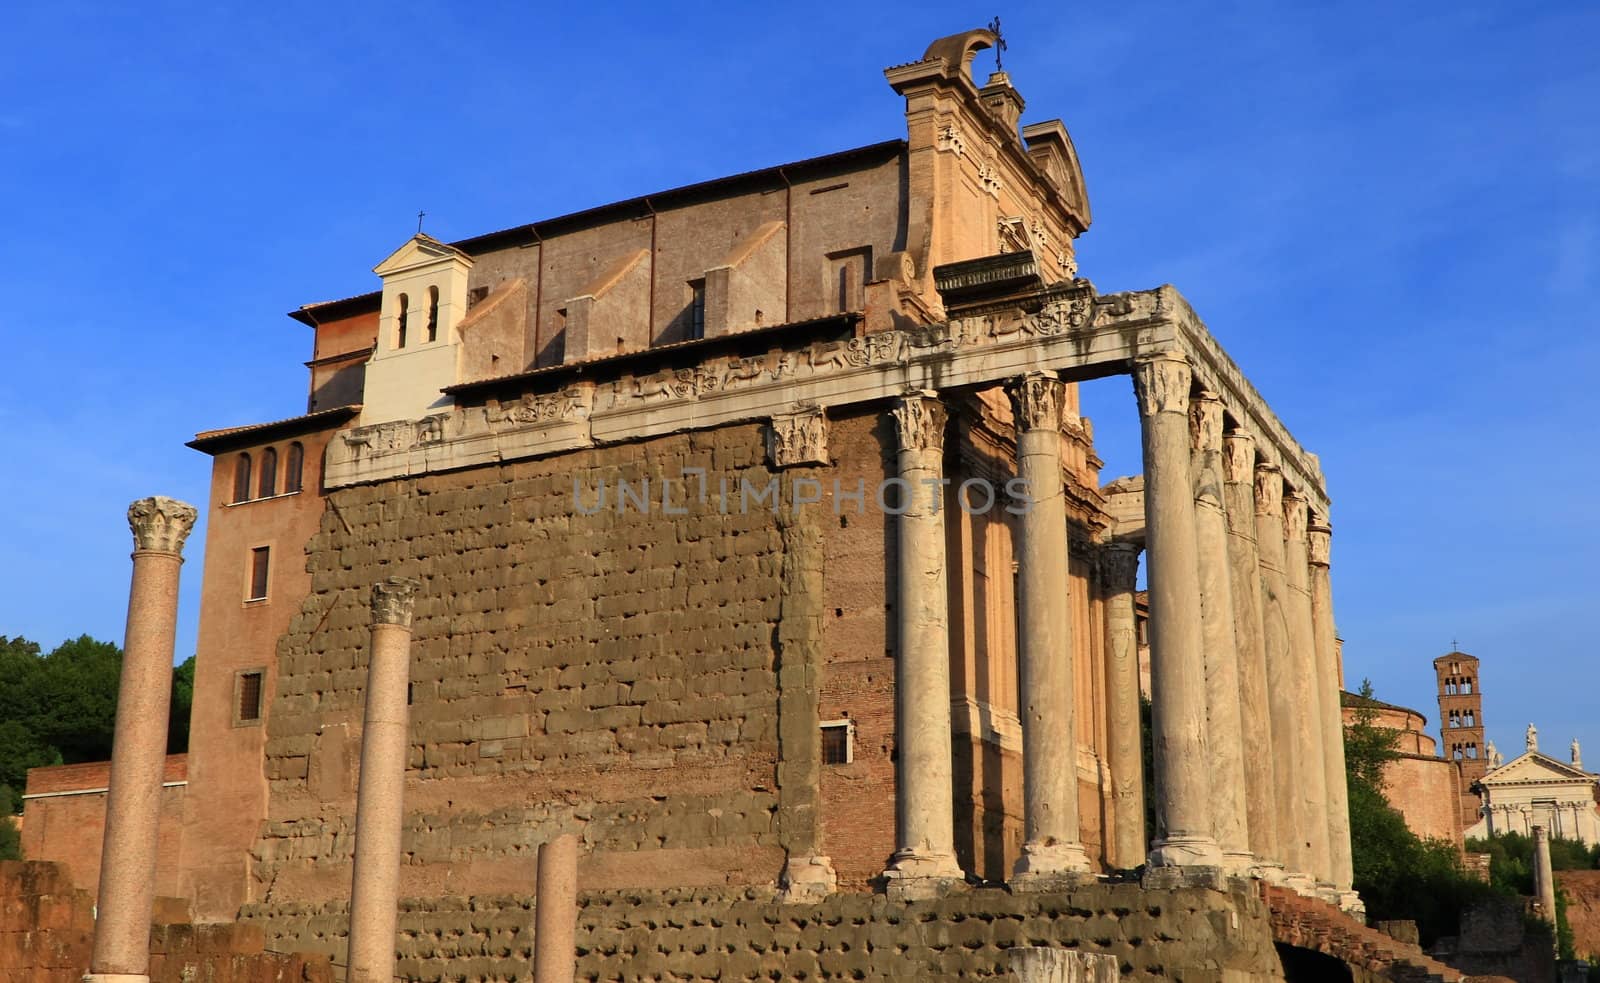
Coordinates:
[375,881]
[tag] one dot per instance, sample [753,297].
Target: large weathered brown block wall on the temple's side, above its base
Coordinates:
[609,672]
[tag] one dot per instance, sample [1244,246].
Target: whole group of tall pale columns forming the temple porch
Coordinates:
[1247,745]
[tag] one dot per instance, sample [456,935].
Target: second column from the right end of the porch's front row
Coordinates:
[1303,646]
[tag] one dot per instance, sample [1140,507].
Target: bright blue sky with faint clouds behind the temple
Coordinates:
[1390,214]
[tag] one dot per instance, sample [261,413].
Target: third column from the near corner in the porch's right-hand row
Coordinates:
[1239,465]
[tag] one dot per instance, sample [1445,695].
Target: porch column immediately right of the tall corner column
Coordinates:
[1222,651]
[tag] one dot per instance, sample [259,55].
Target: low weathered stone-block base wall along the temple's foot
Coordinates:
[692,936]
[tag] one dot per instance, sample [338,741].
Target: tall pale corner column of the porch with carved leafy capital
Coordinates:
[1183,811]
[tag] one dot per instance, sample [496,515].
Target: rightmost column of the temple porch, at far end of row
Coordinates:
[1319,548]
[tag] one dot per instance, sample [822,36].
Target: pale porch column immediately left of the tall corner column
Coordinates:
[1050,747]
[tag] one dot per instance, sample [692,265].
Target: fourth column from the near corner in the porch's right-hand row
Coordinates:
[1289,689]
